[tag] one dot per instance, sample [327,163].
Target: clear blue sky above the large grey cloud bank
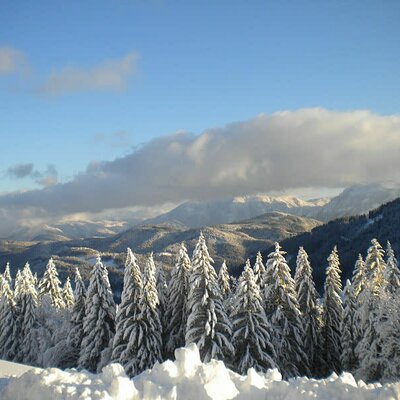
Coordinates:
[179,65]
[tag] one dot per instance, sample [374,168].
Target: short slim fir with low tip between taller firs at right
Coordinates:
[349,339]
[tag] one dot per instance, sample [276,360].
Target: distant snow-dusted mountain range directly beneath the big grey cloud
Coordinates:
[354,200]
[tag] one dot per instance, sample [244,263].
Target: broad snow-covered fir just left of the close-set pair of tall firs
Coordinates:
[99,321]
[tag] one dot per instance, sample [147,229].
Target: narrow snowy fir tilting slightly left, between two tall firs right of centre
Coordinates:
[307,297]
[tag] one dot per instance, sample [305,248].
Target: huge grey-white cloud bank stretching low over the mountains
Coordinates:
[282,151]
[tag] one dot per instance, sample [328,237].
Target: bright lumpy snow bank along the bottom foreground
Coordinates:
[185,378]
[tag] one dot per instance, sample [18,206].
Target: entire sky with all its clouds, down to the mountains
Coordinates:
[89,87]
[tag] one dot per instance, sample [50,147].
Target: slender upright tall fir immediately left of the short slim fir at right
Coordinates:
[332,315]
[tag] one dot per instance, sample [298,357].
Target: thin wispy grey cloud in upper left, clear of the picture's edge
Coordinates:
[112,74]
